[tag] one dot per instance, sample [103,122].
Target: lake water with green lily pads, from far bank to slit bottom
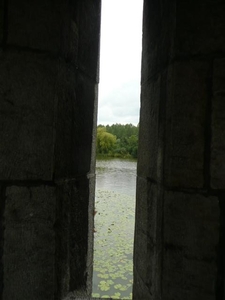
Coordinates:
[114,226]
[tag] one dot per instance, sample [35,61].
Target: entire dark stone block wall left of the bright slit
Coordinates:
[48,96]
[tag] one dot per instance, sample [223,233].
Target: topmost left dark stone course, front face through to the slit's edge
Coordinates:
[71,30]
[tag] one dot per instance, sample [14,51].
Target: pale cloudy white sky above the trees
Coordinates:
[120,62]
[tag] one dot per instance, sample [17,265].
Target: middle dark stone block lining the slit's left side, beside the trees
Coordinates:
[75,122]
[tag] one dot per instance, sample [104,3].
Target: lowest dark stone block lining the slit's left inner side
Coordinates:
[72,237]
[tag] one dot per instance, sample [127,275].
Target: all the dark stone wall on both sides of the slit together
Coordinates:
[49,57]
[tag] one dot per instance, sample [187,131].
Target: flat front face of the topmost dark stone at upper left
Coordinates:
[36,25]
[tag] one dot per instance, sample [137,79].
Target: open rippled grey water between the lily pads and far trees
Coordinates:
[116,175]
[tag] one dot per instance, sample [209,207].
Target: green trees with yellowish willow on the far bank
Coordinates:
[117,140]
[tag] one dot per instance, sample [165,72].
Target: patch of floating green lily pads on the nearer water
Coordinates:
[113,245]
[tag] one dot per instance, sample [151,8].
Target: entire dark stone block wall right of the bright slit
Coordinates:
[179,234]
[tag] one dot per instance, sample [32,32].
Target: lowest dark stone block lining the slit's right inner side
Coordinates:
[147,248]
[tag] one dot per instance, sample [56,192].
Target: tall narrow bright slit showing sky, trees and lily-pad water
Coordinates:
[117,140]
